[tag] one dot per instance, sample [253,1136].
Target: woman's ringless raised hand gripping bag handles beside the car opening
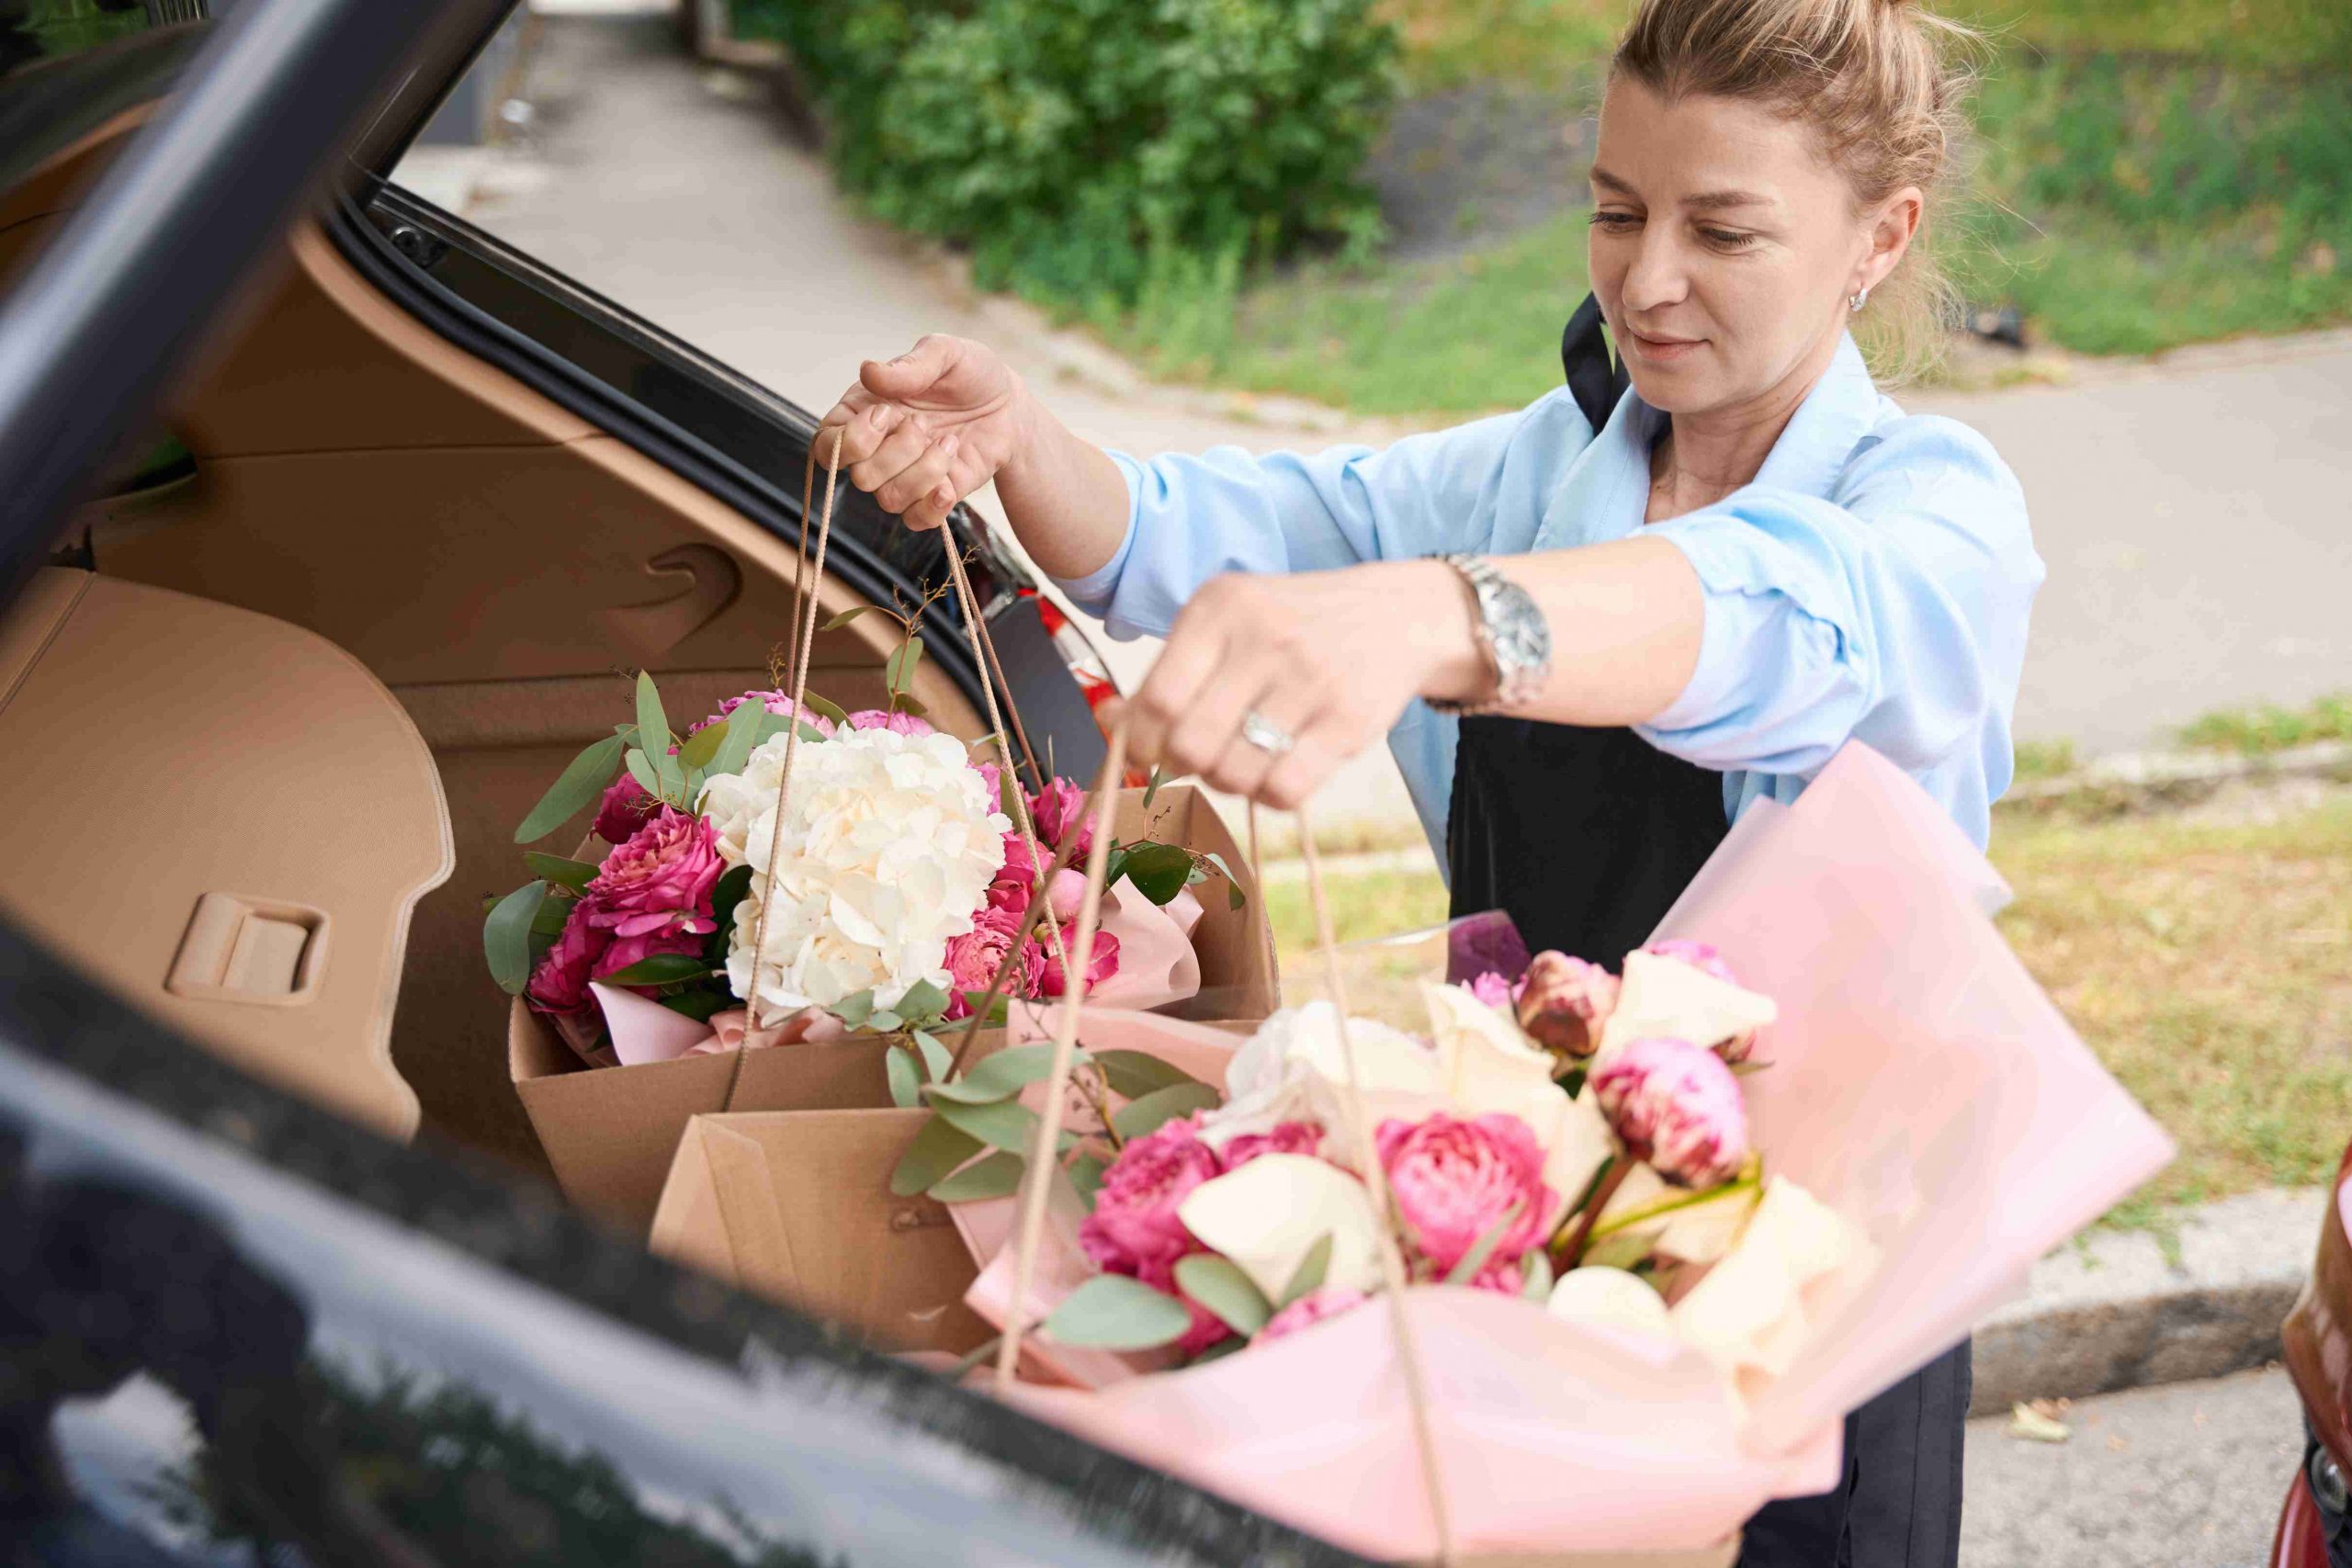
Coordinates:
[928,429]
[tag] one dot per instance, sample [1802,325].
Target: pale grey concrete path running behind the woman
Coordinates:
[2196,523]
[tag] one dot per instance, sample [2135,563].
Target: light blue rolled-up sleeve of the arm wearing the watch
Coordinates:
[1892,615]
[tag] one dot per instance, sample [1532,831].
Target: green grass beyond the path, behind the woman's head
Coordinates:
[2151,175]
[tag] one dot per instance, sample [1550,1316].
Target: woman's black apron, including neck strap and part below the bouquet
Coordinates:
[1586,838]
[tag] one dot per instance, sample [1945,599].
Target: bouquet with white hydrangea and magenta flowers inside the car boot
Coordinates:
[888,899]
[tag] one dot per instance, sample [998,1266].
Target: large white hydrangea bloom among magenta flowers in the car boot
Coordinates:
[888,850]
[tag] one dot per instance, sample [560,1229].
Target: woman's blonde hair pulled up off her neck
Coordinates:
[1883,86]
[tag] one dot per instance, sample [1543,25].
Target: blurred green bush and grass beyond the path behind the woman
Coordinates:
[1375,203]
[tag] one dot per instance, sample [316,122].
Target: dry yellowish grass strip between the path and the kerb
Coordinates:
[2205,965]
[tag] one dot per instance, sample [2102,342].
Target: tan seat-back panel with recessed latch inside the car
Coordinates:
[248,822]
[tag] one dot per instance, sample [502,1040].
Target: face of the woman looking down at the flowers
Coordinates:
[1723,248]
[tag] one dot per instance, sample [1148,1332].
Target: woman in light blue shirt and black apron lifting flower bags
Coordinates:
[1657,608]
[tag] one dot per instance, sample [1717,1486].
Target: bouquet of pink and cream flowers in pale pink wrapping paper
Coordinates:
[1577,1259]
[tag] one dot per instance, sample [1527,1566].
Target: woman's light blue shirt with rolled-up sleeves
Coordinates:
[1873,584]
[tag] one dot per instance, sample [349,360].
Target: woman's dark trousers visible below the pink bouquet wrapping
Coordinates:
[1899,1506]
